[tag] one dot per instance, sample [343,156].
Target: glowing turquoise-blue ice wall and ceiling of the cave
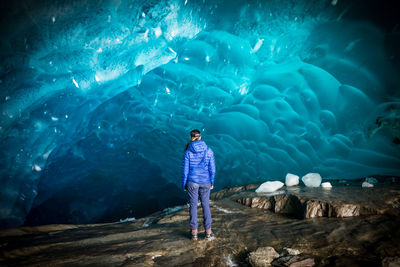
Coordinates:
[98,97]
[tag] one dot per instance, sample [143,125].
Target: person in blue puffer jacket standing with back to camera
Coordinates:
[198,173]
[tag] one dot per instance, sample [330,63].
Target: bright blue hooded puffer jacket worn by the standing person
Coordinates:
[198,164]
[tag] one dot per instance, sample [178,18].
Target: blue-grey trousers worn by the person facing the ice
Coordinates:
[194,191]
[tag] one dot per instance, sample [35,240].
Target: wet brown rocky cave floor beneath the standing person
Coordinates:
[298,226]
